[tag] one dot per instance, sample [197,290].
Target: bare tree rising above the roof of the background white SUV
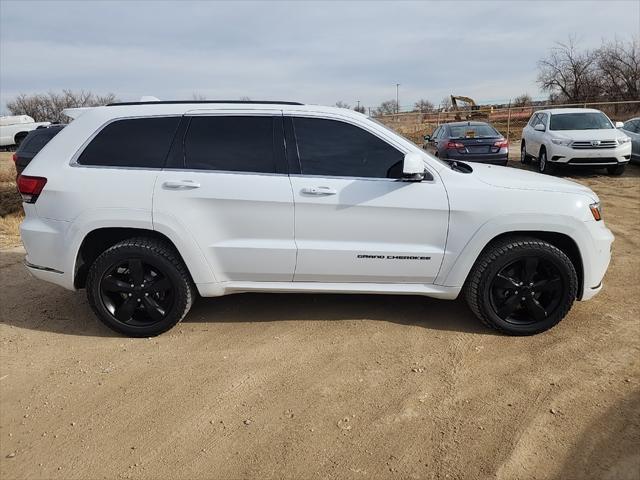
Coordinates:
[568,74]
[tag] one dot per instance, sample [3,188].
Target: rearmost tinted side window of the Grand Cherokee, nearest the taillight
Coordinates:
[135,142]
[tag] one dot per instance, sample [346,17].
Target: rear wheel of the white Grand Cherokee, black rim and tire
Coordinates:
[163,296]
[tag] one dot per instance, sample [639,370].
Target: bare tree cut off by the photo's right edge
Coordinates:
[619,66]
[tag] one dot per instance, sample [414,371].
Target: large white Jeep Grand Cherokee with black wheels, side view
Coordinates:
[147,204]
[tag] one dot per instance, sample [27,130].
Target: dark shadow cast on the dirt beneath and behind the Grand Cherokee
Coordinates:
[36,305]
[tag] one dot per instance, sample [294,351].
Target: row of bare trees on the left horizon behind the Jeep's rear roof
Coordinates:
[47,107]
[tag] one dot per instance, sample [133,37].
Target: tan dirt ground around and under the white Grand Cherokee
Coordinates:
[326,386]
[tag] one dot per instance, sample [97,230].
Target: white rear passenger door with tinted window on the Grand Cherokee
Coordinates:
[226,186]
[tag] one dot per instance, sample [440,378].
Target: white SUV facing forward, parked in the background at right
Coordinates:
[575,137]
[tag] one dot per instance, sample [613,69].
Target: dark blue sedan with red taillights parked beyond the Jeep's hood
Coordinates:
[469,141]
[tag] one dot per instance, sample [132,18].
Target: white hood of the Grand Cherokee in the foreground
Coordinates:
[509,177]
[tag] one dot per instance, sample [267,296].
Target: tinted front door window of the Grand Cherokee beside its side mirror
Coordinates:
[333,148]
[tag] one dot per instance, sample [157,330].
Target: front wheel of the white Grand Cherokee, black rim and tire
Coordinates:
[521,306]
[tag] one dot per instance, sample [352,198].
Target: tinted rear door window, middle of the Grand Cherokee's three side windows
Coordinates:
[238,144]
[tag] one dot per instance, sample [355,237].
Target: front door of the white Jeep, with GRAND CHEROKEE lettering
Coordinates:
[355,220]
